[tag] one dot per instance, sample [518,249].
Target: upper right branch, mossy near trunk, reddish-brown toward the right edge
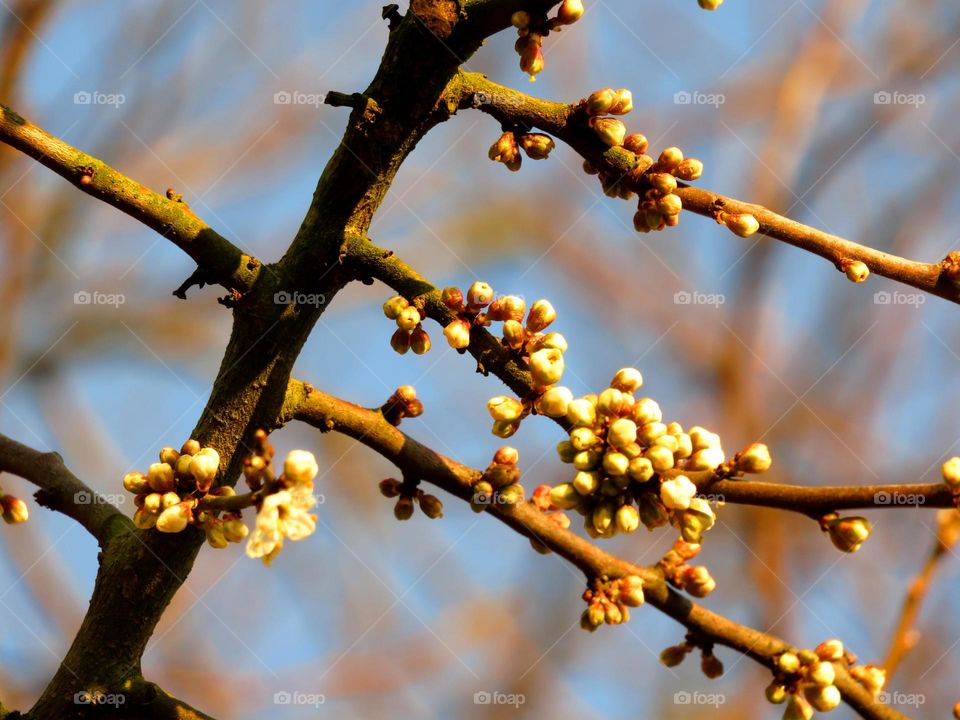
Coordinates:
[568,123]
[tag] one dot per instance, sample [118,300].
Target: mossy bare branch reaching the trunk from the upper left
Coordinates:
[220,259]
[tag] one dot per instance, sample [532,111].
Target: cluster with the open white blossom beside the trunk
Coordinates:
[282,504]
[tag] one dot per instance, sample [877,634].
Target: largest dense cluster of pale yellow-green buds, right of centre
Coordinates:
[630,464]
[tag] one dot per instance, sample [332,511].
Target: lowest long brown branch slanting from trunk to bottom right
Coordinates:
[327,413]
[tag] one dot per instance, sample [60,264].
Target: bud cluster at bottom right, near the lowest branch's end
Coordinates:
[804,680]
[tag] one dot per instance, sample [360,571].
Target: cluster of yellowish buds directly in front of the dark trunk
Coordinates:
[167,494]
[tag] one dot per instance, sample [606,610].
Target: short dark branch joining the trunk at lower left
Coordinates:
[60,489]
